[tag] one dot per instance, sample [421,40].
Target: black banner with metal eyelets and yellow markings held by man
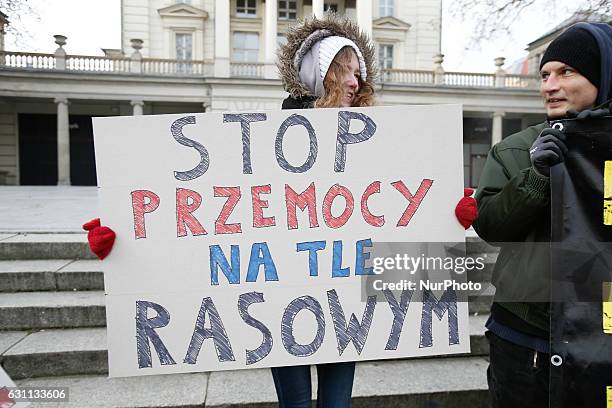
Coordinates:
[581,259]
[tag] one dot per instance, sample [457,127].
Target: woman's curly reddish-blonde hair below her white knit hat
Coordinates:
[333,83]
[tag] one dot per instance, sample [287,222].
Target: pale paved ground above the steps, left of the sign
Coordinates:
[46,208]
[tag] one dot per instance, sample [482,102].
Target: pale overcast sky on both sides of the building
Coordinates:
[91,25]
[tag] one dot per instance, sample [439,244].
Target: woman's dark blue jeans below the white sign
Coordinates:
[294,389]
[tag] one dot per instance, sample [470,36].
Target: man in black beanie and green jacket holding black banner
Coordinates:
[514,213]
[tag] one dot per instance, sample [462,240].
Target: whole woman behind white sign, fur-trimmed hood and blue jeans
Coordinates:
[326,63]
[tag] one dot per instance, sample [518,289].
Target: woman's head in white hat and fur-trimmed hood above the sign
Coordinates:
[327,64]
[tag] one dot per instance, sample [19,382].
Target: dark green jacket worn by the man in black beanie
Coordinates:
[514,213]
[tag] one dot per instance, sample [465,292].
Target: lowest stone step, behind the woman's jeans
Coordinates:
[440,382]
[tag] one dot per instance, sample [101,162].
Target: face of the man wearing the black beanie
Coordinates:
[563,88]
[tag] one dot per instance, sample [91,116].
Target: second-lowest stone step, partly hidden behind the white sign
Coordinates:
[76,351]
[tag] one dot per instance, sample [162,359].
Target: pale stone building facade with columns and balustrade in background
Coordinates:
[217,55]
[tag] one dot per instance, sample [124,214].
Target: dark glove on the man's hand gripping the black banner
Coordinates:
[547,150]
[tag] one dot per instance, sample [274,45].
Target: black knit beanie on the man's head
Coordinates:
[578,49]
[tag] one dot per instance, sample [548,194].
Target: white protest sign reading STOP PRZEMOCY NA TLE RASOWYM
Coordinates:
[243,238]
